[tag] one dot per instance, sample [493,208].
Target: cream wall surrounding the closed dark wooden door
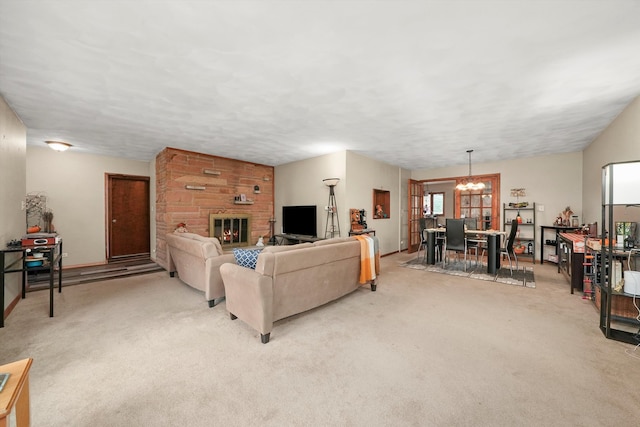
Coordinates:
[74,184]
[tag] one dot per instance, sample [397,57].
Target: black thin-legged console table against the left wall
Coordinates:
[53,258]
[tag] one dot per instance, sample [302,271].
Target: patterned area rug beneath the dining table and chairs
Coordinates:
[521,277]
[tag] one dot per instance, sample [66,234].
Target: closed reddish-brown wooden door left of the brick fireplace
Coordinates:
[128,217]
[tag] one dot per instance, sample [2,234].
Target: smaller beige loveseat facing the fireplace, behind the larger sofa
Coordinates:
[197,260]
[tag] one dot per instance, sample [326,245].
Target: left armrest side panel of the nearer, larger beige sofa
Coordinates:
[249,296]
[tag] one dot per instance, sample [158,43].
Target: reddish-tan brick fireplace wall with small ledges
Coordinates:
[223,180]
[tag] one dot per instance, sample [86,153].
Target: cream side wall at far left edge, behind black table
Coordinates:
[13,137]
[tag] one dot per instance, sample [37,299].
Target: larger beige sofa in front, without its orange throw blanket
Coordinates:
[292,279]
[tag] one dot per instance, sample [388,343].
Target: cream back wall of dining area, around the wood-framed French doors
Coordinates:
[552,182]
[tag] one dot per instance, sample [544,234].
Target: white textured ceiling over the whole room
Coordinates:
[411,83]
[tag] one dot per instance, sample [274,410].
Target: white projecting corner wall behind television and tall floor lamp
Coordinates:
[300,183]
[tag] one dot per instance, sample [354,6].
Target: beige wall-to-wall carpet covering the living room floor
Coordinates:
[426,349]
